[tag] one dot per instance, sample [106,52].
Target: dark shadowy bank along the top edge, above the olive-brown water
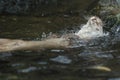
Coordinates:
[43,7]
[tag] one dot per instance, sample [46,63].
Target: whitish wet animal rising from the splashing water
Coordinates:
[93,29]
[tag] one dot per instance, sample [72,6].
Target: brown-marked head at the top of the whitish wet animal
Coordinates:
[95,22]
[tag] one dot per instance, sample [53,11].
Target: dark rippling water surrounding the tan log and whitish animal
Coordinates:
[76,63]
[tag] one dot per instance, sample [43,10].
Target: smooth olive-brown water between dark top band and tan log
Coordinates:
[32,27]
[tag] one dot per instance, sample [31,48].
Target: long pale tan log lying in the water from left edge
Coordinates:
[7,45]
